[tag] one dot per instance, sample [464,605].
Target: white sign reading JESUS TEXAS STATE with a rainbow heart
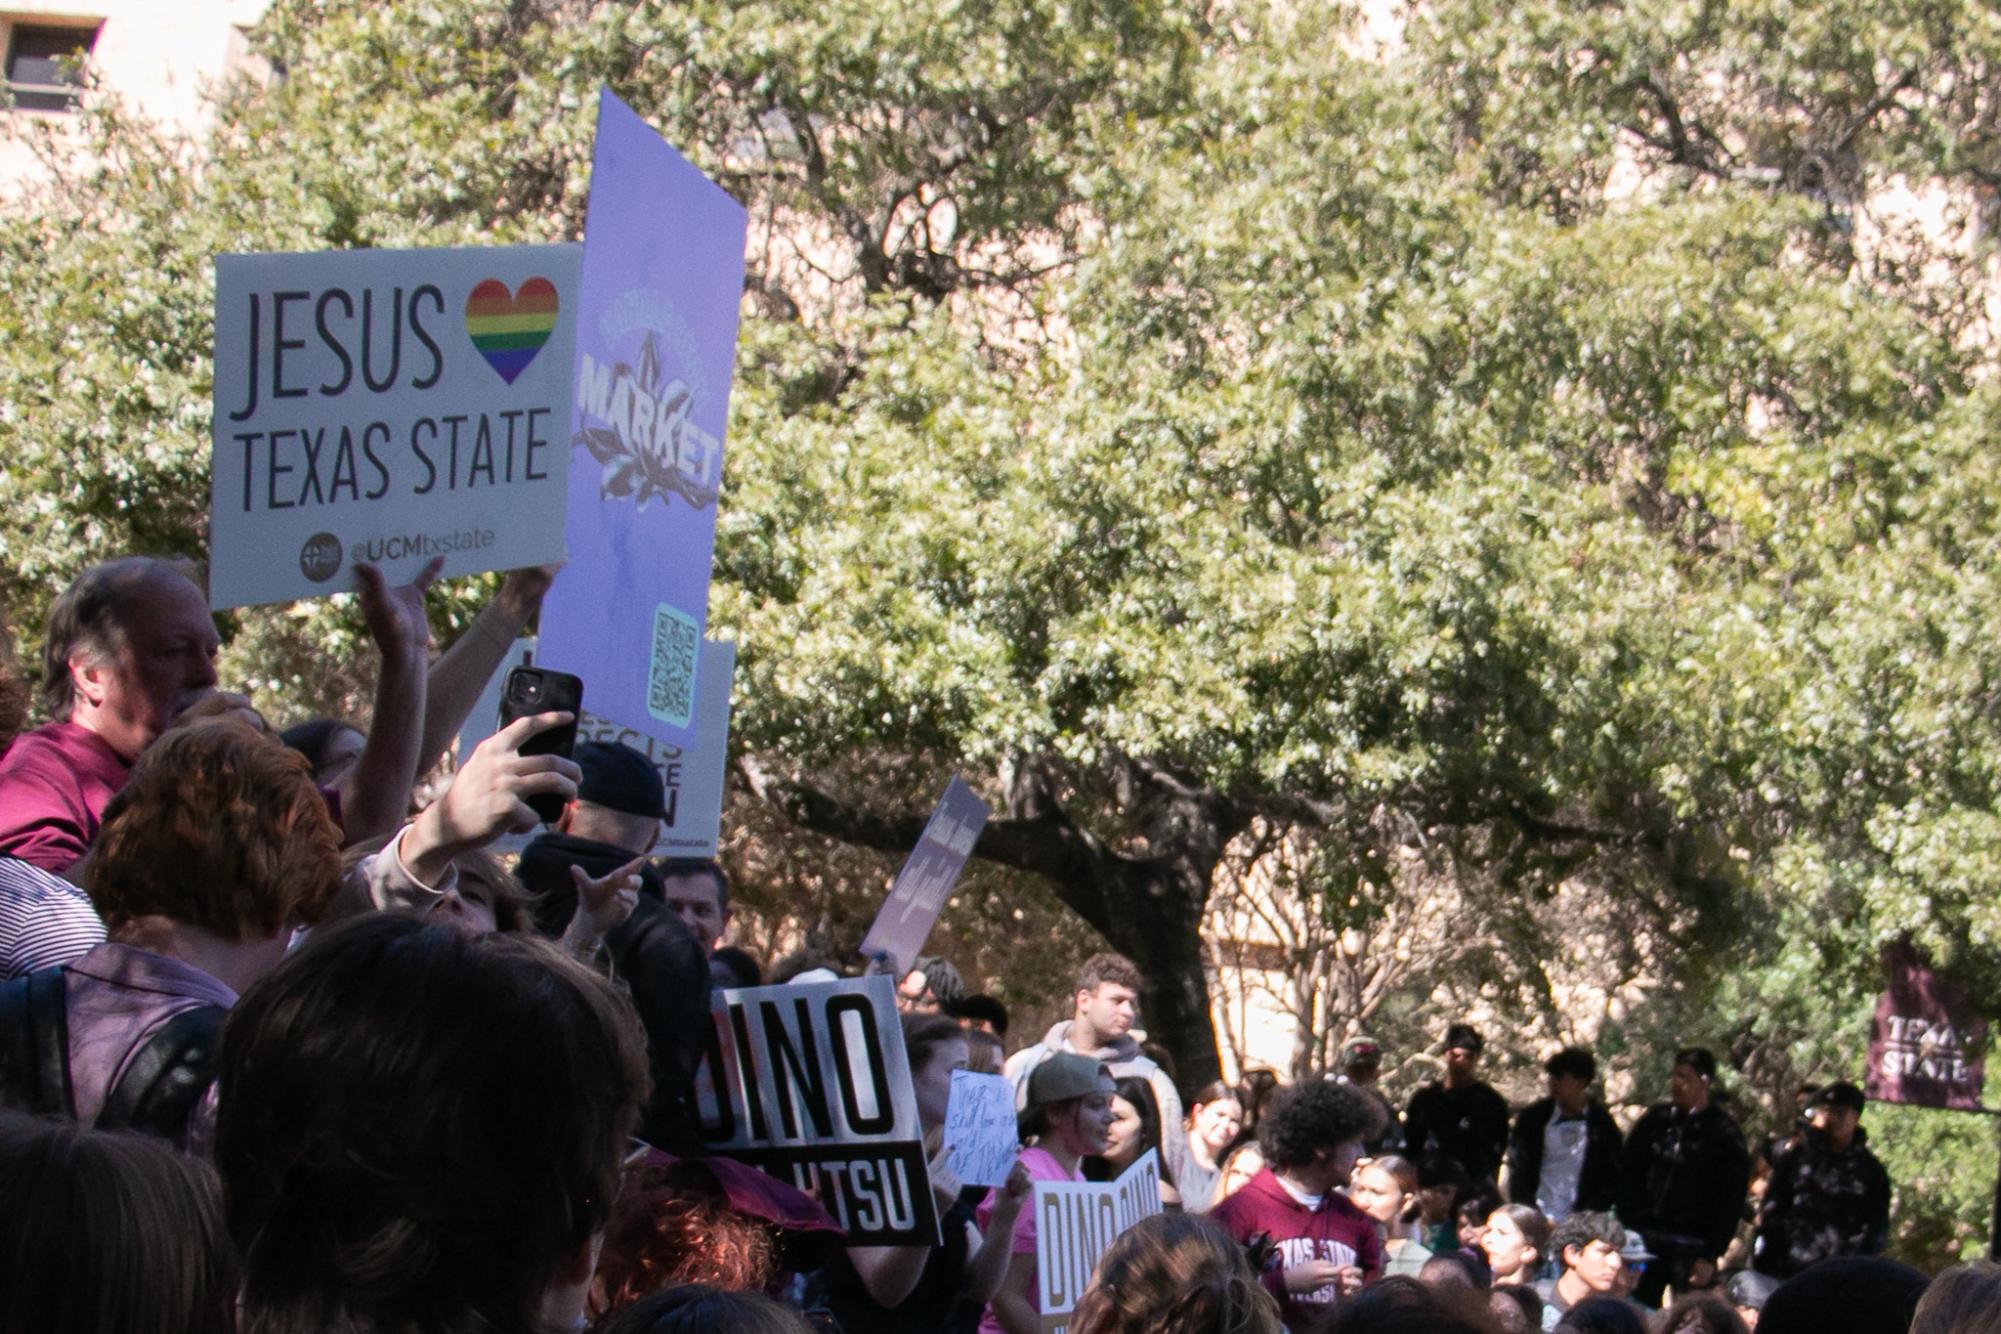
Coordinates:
[389,407]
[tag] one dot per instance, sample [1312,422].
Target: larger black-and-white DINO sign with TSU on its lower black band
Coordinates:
[811,1085]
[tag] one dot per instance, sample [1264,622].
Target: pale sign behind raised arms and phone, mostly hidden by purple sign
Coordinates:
[693,819]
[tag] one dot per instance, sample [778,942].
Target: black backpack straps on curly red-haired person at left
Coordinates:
[159,1089]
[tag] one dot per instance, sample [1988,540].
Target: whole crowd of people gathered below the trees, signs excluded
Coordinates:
[285,1049]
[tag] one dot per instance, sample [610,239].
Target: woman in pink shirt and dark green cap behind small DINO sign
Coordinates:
[1068,1117]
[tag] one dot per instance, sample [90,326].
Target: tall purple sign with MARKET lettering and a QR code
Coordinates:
[655,347]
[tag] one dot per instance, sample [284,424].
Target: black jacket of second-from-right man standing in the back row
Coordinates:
[1686,1177]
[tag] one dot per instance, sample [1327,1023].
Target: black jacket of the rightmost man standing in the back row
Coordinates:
[1822,1203]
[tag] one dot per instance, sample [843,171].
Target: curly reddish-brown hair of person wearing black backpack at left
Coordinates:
[219,827]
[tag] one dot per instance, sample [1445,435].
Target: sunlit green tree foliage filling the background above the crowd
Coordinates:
[1540,455]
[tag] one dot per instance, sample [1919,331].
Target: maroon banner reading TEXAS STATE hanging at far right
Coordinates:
[1928,1045]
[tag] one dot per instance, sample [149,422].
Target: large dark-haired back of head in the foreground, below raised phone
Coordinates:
[421,1129]
